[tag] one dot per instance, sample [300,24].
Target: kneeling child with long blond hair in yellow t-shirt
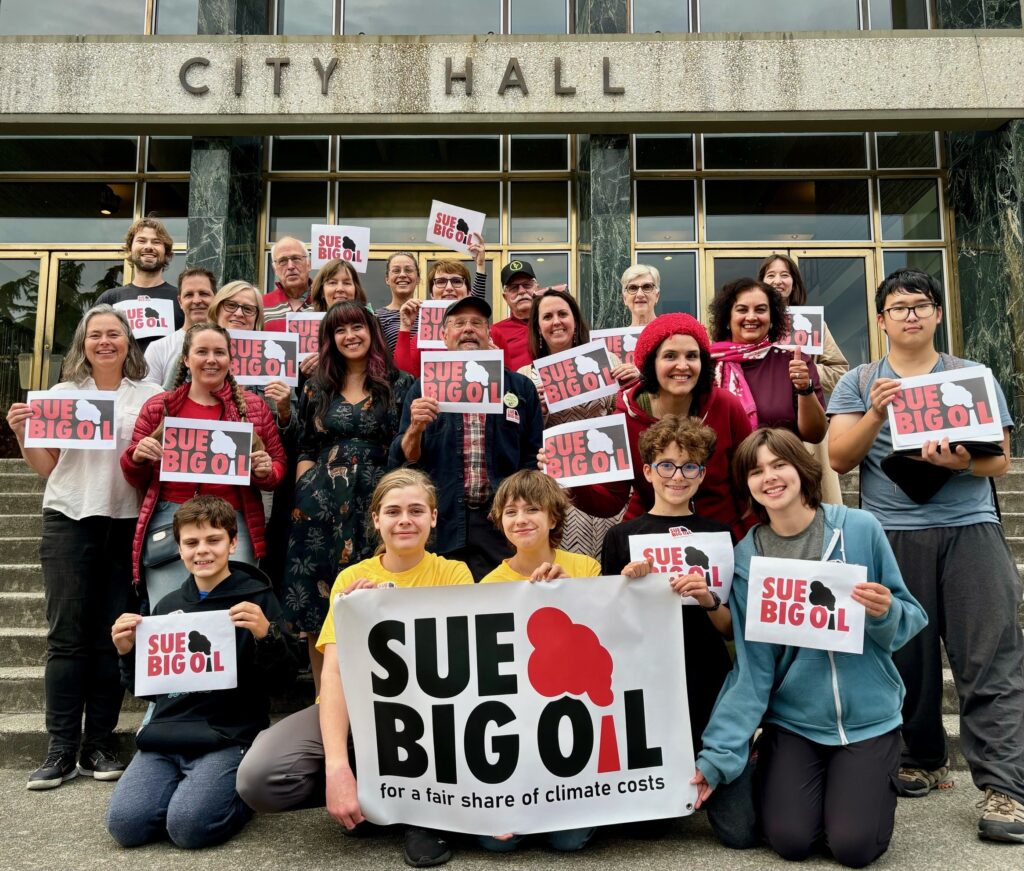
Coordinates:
[290,763]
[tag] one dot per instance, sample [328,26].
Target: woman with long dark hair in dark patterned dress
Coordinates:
[349,415]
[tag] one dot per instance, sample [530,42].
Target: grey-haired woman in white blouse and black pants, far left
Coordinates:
[90,516]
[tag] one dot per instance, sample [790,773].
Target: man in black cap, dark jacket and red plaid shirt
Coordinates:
[468,456]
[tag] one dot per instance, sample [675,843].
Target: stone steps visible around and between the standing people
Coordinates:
[23,620]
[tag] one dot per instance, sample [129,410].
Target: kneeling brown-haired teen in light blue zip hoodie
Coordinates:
[830,752]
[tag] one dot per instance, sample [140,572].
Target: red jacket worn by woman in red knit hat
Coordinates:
[716,498]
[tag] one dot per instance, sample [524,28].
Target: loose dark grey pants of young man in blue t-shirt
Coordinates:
[966,580]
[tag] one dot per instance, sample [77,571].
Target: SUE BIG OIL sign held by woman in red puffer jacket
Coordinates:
[206,452]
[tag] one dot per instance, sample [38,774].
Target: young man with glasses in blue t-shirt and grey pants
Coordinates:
[955,560]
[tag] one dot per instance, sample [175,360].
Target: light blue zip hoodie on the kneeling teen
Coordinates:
[827,698]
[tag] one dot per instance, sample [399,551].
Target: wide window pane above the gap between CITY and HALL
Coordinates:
[411,18]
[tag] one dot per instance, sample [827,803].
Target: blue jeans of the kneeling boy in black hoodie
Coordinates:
[191,800]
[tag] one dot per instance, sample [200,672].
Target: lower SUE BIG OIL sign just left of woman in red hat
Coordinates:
[590,452]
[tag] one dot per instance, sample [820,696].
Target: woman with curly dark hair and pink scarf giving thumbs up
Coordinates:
[777,388]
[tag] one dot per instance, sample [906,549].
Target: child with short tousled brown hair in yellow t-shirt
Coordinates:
[531,509]
